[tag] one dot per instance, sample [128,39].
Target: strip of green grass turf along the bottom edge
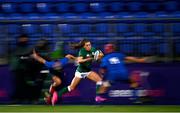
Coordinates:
[90,108]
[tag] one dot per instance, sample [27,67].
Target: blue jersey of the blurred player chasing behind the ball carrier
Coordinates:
[63,62]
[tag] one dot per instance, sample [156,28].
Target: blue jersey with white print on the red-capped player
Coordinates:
[114,65]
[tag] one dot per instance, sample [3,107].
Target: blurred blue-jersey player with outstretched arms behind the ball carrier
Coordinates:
[55,68]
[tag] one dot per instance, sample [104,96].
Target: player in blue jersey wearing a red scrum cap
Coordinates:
[113,69]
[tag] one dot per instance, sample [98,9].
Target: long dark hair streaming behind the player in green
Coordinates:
[78,45]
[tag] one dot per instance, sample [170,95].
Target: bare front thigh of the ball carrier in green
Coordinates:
[94,76]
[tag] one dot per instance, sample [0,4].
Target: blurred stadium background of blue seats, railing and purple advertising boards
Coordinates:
[138,28]
